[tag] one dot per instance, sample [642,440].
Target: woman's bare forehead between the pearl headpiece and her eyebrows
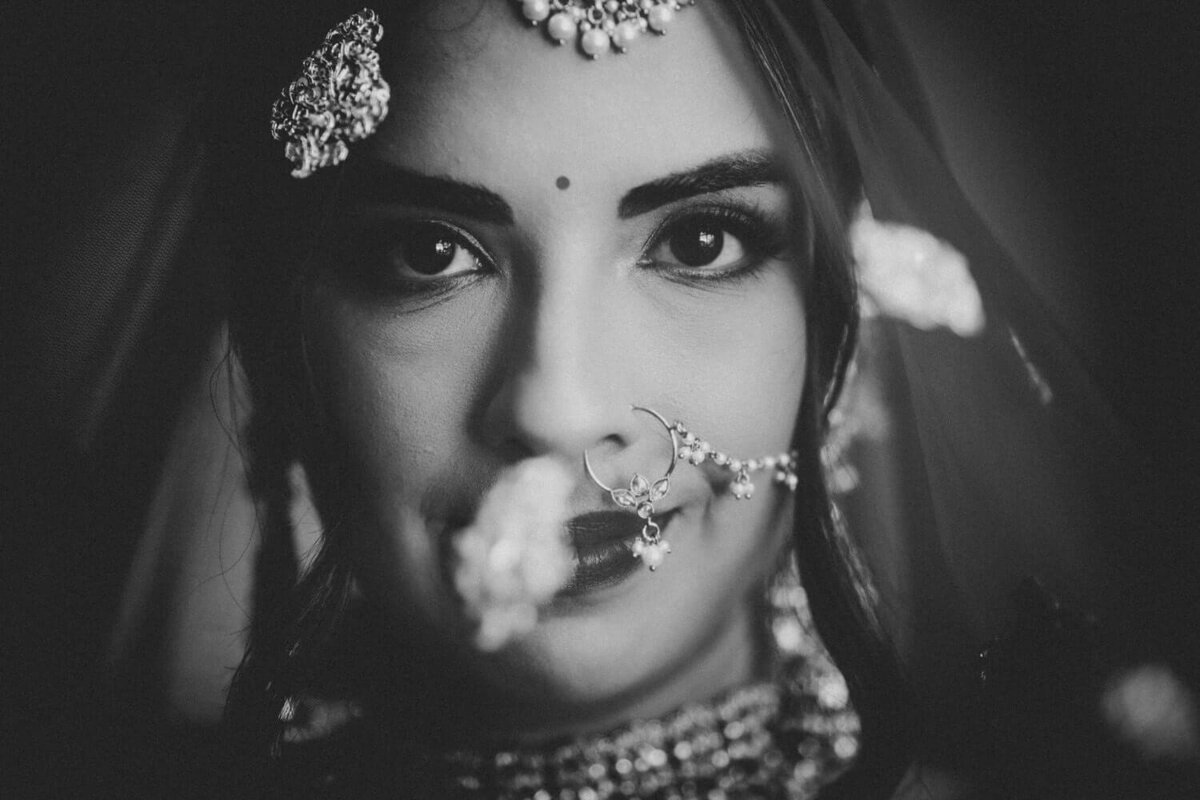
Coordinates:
[479,95]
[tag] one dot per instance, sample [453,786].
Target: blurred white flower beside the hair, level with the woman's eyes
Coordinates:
[909,274]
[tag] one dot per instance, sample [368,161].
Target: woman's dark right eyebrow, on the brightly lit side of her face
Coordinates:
[742,170]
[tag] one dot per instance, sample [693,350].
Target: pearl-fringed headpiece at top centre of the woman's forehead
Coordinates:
[601,26]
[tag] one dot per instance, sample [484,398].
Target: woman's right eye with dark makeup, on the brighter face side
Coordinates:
[711,244]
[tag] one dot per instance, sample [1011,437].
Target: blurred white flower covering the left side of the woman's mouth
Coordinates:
[517,554]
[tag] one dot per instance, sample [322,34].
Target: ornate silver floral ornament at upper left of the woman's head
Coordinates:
[340,98]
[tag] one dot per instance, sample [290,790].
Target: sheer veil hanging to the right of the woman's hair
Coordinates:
[988,480]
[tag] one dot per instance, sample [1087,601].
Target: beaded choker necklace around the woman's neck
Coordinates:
[781,741]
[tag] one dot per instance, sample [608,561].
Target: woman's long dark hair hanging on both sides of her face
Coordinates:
[297,618]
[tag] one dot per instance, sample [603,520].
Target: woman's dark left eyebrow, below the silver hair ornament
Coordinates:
[380,182]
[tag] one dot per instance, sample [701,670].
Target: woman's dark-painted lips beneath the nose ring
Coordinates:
[603,543]
